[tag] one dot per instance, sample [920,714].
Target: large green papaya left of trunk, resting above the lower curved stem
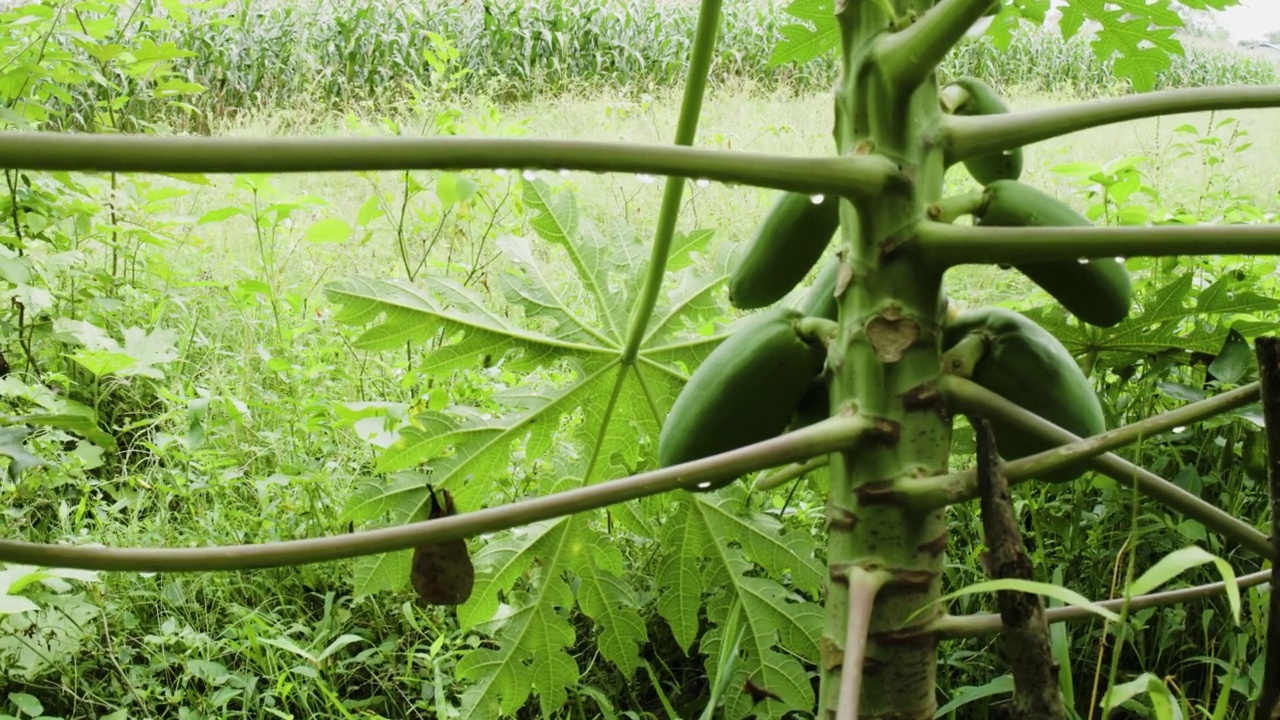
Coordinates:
[744,393]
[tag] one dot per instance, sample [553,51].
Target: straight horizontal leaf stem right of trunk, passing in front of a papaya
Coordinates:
[950,245]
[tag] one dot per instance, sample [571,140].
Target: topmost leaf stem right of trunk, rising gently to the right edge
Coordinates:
[971,136]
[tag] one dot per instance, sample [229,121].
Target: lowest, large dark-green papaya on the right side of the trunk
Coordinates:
[1027,366]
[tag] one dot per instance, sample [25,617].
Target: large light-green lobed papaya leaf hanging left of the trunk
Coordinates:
[579,411]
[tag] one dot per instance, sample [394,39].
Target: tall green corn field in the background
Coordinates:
[344,54]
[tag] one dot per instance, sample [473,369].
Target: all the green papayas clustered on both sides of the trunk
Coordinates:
[767,379]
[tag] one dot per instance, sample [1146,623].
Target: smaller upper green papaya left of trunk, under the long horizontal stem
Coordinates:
[787,245]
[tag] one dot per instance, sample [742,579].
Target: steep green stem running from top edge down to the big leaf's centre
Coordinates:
[687,129]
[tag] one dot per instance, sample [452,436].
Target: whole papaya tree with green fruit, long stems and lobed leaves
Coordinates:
[866,376]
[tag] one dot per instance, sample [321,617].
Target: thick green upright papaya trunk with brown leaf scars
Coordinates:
[886,363]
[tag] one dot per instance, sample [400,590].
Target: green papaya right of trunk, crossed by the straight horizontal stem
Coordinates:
[1099,293]
